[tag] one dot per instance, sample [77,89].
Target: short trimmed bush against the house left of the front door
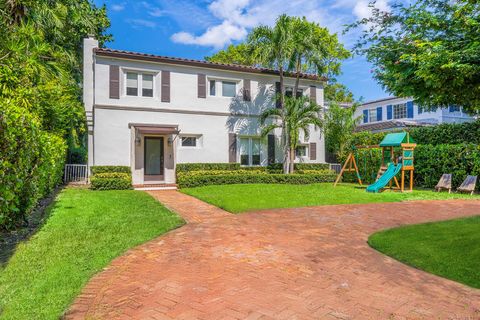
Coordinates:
[111,178]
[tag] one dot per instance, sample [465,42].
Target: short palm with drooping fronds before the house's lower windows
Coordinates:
[298,116]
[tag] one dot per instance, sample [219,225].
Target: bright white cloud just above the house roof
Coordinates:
[216,36]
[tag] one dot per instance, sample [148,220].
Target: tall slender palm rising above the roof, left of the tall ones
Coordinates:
[273,47]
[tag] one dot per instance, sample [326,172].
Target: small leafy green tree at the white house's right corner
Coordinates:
[339,127]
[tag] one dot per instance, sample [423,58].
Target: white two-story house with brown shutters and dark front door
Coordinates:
[152,112]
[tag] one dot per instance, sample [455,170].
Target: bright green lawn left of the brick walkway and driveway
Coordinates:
[84,232]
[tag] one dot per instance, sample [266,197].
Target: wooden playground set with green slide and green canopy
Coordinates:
[397,156]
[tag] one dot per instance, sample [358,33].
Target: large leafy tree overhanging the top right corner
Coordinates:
[429,50]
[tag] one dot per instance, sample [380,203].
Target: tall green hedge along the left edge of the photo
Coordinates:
[31,163]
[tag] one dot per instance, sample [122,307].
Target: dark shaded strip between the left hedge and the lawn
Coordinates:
[9,240]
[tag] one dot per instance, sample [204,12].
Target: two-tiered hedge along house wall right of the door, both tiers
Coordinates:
[198,174]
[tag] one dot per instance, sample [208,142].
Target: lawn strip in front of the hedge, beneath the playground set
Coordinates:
[247,197]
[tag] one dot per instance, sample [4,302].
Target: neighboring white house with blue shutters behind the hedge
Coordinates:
[395,113]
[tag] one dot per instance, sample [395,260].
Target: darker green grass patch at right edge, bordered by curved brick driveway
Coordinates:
[449,249]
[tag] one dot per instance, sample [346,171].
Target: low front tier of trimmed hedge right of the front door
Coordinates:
[204,180]
